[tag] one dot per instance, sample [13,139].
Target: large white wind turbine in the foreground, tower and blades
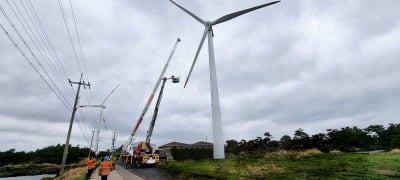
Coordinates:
[216,113]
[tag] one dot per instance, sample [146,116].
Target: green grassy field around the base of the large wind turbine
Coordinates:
[290,165]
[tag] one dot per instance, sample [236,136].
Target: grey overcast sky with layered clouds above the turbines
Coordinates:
[296,64]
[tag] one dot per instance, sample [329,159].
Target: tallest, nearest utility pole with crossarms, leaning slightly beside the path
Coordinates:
[72,120]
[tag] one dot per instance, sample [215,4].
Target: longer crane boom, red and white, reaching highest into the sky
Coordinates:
[150,99]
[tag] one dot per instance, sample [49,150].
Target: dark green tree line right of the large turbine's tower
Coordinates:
[346,139]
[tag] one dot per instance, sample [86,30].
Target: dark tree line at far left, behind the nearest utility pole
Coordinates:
[50,154]
